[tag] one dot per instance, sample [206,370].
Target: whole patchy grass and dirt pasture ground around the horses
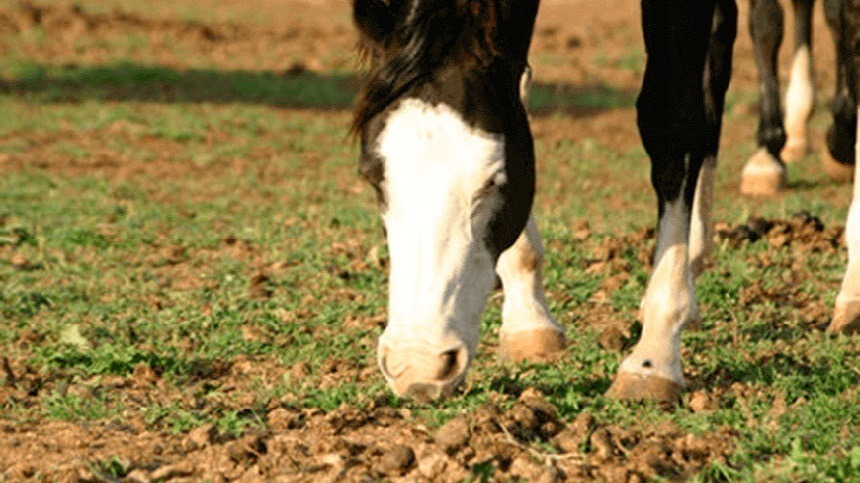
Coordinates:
[193,276]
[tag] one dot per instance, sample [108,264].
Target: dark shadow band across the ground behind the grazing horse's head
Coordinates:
[288,89]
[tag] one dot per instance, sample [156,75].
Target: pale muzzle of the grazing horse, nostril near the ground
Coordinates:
[423,373]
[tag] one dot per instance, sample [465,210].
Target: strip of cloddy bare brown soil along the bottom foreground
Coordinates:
[352,444]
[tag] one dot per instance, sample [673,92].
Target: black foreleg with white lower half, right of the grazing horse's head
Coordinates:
[679,125]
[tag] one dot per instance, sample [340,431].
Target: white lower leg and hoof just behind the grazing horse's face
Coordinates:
[528,329]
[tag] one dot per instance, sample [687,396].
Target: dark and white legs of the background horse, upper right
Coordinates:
[783,137]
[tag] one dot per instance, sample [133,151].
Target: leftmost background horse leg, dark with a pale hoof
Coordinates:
[764,173]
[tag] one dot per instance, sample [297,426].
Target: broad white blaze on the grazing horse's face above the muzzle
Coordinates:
[441,179]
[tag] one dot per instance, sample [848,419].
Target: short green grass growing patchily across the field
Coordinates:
[125,270]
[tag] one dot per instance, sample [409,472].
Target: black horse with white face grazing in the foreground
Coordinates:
[445,141]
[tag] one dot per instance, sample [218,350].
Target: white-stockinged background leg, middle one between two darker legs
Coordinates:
[800,97]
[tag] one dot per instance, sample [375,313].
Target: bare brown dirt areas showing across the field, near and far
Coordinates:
[382,442]
